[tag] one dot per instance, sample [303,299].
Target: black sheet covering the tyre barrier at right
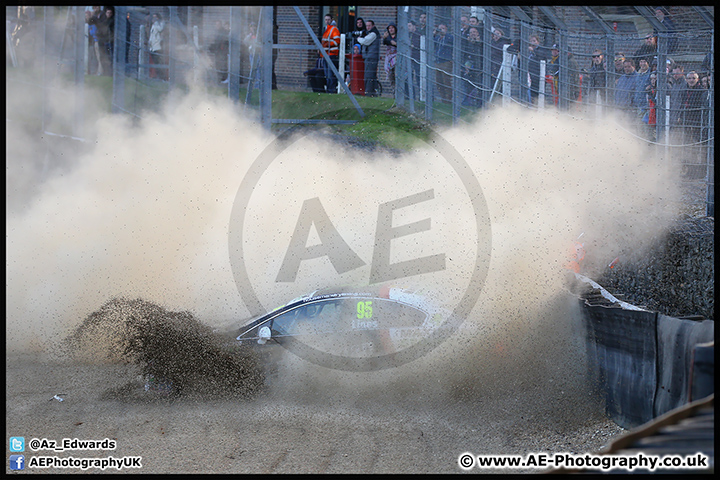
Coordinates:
[642,360]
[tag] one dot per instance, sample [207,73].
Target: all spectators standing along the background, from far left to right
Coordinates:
[629,84]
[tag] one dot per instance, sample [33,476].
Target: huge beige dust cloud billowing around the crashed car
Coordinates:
[143,211]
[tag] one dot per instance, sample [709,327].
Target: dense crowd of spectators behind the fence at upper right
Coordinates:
[629,86]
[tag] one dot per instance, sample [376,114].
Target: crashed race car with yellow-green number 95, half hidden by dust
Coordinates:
[343,323]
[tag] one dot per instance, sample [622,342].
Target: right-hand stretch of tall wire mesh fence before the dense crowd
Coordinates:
[456,61]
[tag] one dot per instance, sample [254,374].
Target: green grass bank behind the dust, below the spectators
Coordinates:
[383,123]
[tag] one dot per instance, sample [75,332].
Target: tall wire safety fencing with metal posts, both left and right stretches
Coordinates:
[451,63]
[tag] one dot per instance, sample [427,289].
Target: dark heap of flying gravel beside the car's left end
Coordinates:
[171,347]
